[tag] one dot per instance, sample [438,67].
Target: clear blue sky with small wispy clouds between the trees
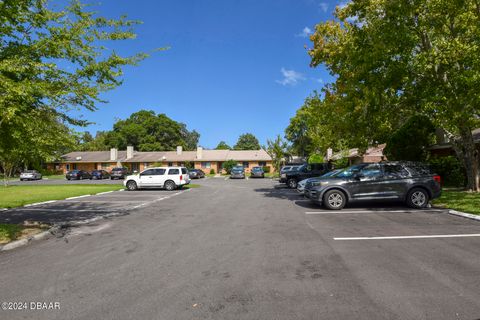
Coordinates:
[233,66]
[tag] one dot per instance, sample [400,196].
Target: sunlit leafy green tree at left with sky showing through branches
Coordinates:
[53,59]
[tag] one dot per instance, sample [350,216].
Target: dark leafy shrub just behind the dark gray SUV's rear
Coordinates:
[450,170]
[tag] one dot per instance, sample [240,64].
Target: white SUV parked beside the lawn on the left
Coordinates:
[170,178]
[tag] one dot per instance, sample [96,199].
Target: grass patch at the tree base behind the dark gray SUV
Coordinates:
[459,200]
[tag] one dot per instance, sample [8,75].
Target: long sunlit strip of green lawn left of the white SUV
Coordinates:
[15,196]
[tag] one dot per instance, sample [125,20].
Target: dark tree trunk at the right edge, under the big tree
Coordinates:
[468,153]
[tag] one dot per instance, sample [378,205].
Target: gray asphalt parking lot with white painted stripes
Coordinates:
[248,249]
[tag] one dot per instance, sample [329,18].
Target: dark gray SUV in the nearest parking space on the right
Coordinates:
[398,181]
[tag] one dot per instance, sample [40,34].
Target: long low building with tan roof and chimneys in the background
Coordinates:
[206,160]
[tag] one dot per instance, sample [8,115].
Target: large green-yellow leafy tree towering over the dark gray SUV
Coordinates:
[396,59]
